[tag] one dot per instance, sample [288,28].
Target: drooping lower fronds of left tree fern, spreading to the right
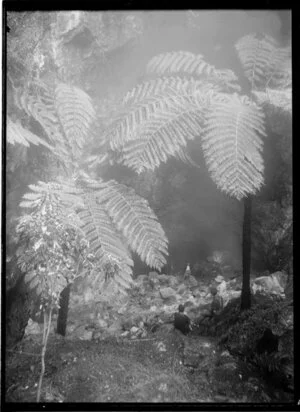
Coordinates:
[112,218]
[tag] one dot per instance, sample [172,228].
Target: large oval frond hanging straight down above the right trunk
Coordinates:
[232,145]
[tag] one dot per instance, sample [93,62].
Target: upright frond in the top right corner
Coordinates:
[262,59]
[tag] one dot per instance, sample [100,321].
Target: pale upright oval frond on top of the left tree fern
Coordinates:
[76,113]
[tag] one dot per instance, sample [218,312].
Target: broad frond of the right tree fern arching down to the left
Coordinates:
[158,119]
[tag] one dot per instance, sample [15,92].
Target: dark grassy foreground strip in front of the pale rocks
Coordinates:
[148,370]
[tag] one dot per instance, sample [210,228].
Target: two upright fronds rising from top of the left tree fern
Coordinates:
[65,112]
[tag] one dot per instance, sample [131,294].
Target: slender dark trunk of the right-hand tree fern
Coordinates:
[246,291]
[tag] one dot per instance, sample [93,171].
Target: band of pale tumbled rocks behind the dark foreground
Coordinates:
[152,301]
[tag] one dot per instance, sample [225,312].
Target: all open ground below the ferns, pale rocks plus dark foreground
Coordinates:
[128,350]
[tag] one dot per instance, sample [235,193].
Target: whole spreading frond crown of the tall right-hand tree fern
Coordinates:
[158,117]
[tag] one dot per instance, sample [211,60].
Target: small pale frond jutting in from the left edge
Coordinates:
[17,134]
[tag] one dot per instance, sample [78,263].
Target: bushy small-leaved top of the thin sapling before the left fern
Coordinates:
[51,251]
